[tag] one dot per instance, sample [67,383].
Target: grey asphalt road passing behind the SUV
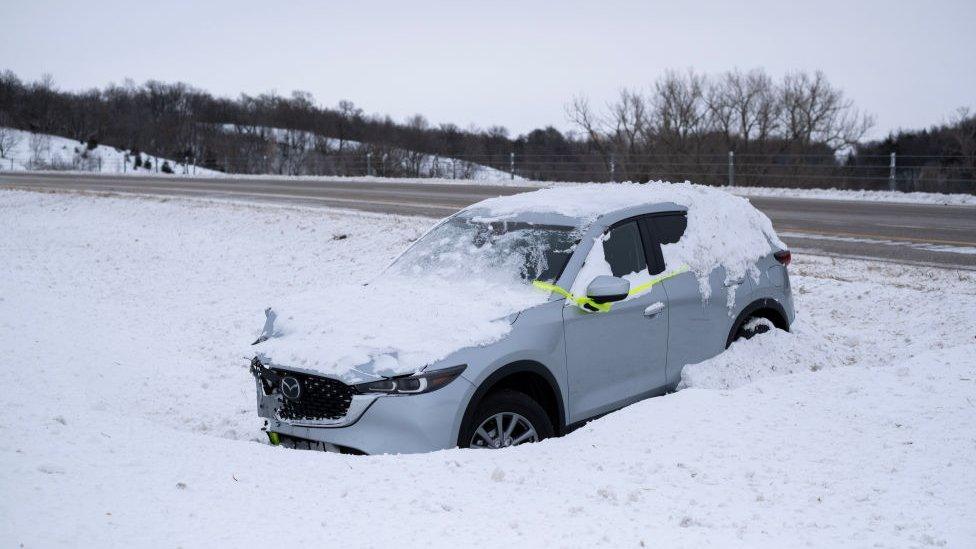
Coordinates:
[934,235]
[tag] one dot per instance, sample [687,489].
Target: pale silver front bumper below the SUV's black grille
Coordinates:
[382,424]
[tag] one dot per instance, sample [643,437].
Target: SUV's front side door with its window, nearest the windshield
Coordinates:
[617,357]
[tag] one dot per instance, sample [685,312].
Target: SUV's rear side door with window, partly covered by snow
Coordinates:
[697,327]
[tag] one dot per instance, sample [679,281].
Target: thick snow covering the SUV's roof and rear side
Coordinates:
[724,230]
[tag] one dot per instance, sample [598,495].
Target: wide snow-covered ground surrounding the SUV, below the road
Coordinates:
[128,417]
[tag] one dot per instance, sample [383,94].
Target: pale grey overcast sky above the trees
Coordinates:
[516,64]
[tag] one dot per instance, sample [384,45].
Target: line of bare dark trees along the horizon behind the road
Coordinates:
[798,130]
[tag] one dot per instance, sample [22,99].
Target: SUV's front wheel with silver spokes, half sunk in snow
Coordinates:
[512,407]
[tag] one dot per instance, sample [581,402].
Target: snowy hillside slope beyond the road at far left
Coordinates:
[38,151]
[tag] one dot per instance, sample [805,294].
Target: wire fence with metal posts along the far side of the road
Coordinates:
[946,174]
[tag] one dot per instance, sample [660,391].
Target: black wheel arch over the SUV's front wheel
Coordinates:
[526,376]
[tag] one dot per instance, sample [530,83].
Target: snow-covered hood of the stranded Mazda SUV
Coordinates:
[359,333]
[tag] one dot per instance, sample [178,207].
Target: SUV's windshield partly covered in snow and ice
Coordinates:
[462,247]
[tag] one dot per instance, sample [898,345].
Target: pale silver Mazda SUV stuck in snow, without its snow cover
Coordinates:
[562,362]
